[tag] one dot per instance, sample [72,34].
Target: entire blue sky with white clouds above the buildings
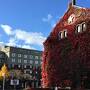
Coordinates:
[27,23]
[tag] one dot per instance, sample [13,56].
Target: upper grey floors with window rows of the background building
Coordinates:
[22,58]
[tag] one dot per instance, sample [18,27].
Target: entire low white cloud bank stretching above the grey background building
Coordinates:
[28,38]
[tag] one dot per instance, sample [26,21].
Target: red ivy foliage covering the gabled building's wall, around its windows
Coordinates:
[63,58]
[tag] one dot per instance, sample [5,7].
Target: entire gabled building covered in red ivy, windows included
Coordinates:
[66,56]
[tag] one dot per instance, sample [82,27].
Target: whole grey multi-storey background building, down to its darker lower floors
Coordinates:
[26,60]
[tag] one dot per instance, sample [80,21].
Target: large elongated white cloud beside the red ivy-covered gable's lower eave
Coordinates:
[34,38]
